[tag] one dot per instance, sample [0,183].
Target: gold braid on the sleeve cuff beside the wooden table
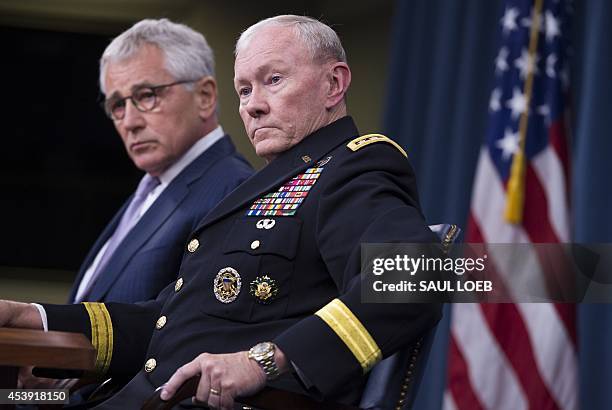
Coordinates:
[101,335]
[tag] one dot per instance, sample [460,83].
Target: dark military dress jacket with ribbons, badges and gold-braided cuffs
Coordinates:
[363,191]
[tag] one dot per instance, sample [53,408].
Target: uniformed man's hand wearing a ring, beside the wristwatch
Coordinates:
[231,375]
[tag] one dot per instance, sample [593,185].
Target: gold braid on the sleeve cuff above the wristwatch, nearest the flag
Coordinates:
[350,330]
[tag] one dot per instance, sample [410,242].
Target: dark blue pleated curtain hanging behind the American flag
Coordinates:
[440,80]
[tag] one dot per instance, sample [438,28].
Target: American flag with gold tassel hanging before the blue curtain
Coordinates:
[520,356]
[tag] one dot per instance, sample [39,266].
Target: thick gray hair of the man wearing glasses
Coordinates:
[187,53]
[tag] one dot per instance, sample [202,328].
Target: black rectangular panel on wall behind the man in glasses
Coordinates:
[64,171]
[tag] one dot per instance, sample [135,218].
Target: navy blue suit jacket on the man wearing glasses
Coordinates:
[150,255]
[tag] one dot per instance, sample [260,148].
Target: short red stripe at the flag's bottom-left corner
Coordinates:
[458,381]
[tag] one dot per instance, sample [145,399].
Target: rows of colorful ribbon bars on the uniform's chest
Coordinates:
[287,199]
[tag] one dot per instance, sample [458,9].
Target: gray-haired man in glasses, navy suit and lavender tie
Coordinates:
[158,79]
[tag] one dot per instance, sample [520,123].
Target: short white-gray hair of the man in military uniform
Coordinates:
[319,38]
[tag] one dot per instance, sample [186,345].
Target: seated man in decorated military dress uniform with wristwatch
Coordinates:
[269,289]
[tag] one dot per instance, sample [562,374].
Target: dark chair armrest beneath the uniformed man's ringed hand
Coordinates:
[268,399]
